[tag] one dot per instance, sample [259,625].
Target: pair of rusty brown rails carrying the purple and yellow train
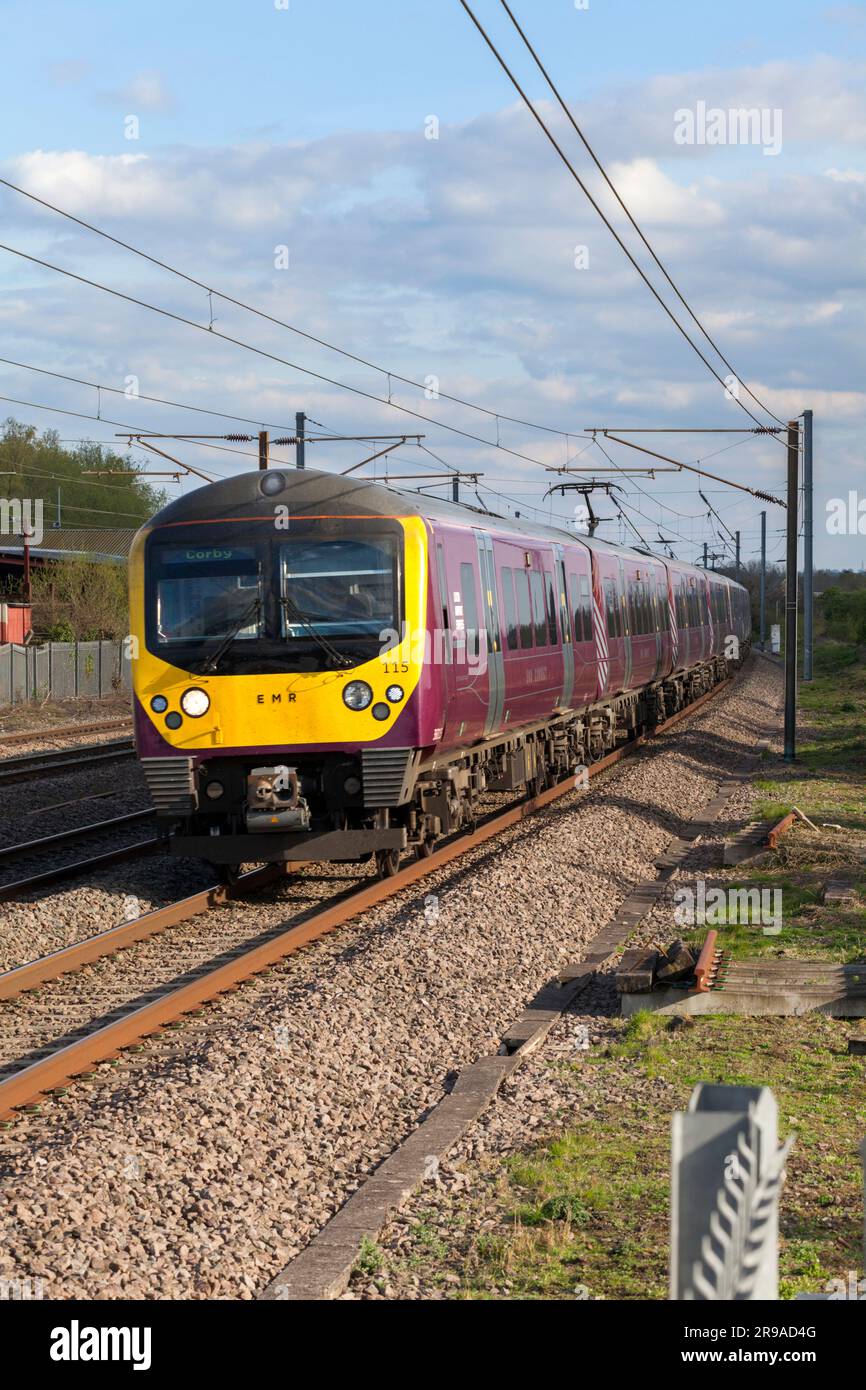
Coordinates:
[24,1084]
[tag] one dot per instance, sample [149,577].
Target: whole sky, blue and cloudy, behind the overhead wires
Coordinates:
[366,173]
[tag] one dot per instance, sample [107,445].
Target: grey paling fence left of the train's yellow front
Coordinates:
[60,671]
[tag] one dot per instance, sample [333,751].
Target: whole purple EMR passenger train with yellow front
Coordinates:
[337,669]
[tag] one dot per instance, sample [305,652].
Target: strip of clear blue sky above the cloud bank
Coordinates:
[240,69]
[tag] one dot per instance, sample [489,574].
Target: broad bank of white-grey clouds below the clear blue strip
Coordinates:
[457,258]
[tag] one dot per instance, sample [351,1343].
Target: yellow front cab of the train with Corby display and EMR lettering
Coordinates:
[263,750]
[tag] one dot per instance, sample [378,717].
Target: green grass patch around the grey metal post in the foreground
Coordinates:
[587,1213]
